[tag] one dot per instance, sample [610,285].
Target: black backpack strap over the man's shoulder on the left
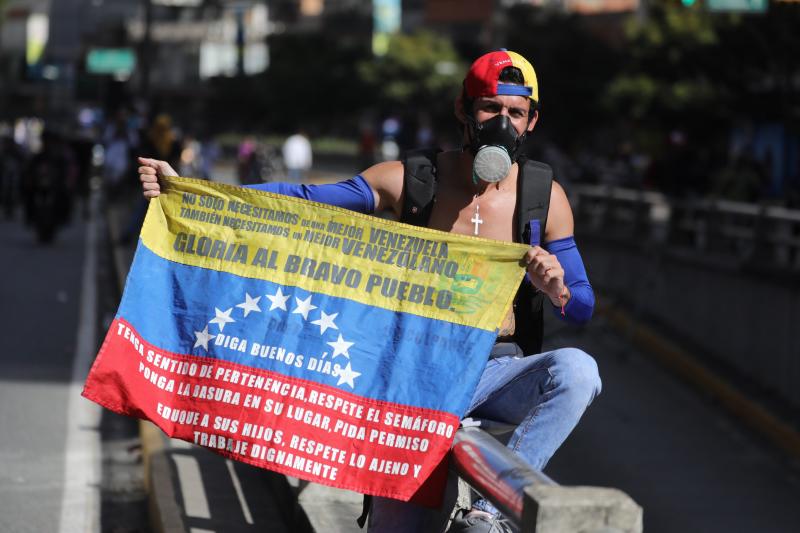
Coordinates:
[419,186]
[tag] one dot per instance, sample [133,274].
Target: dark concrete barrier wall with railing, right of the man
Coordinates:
[722,277]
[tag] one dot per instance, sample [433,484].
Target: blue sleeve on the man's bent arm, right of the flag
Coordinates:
[581,304]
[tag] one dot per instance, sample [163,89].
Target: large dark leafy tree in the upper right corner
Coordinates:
[702,71]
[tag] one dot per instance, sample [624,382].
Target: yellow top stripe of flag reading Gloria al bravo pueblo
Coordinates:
[334,251]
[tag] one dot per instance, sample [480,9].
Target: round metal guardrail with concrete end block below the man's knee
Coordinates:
[532,501]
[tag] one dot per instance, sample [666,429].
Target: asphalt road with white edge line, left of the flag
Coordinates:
[68,465]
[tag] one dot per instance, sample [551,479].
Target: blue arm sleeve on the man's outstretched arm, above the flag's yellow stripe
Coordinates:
[354,194]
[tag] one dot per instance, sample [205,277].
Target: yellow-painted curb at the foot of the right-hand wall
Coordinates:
[689,369]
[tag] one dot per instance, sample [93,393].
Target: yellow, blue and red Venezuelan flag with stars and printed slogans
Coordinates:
[303,338]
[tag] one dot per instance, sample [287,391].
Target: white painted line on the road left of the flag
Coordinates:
[80,501]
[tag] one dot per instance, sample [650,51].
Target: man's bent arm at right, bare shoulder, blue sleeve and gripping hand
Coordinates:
[556,268]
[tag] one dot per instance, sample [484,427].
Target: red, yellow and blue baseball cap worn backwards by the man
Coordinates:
[483,76]
